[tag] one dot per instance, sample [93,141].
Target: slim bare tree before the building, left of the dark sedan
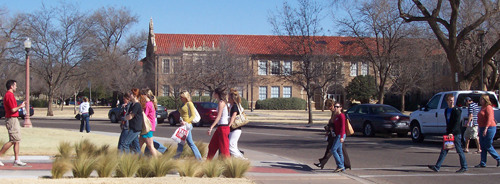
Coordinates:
[299,29]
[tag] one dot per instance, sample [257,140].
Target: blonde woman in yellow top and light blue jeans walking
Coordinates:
[188,113]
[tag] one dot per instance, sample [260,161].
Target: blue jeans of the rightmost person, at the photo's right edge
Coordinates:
[486,146]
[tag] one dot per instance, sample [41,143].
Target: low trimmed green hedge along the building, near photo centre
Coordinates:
[293,103]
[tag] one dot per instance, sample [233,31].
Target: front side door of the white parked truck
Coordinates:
[430,114]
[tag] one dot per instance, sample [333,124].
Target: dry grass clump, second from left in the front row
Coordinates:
[83,165]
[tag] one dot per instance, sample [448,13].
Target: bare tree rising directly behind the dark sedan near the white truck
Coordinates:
[380,33]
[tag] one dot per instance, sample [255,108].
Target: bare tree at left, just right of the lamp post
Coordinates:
[58,36]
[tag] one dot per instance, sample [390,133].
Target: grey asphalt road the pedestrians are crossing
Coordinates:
[380,159]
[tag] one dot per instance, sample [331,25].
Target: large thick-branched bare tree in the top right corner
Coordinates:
[450,29]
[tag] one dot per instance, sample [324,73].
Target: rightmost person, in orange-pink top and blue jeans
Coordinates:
[487,130]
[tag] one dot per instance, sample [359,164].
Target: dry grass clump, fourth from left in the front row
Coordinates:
[128,165]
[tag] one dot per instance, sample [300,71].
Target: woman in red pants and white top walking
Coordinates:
[220,139]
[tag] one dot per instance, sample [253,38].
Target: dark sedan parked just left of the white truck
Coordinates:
[373,118]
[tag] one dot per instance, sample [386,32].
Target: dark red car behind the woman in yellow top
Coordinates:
[207,111]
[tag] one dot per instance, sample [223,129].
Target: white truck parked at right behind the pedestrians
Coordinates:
[430,119]
